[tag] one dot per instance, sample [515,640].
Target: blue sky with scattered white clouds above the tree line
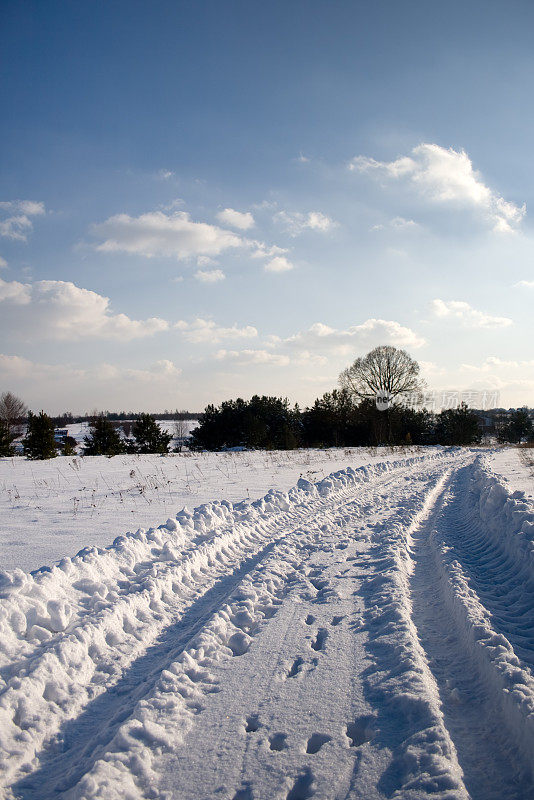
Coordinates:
[206,199]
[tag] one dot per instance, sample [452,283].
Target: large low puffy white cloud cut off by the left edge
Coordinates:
[62,310]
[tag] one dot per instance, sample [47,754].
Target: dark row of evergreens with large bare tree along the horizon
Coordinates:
[373,406]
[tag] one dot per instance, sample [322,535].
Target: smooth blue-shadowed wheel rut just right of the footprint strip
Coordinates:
[494,767]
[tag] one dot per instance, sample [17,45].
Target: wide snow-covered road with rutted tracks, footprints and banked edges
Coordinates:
[368,636]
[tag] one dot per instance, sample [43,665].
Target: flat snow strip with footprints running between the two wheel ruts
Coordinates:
[323,697]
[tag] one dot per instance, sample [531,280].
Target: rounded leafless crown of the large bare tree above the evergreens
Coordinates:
[384,369]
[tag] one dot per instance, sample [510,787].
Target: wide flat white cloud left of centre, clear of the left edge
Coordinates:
[159,234]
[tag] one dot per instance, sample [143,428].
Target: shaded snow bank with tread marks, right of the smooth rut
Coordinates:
[495,531]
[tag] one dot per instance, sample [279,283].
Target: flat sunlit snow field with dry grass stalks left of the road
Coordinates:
[51,509]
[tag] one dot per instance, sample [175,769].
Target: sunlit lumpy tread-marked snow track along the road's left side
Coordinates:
[202,566]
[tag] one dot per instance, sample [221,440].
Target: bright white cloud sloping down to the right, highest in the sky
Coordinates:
[444,175]
